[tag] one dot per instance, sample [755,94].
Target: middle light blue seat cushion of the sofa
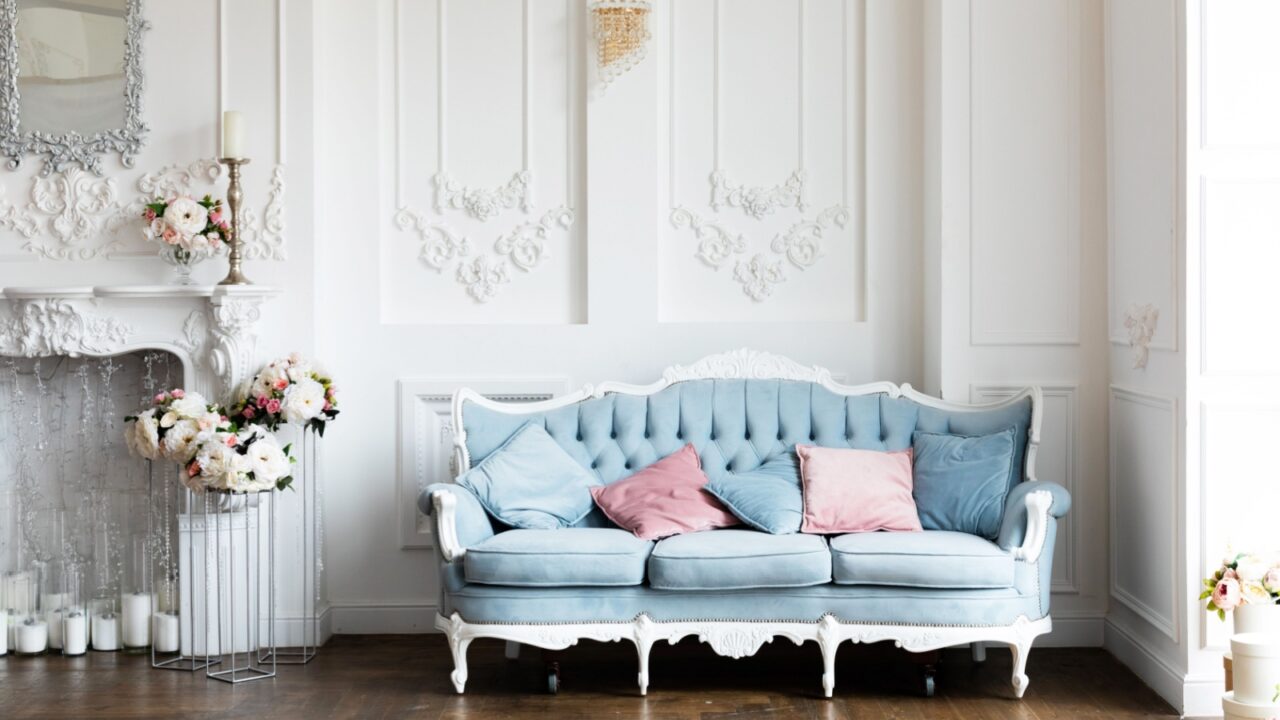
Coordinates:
[715,560]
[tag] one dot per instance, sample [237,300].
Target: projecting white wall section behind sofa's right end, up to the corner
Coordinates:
[1016,181]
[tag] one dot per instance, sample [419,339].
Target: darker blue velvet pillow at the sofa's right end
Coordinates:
[962,482]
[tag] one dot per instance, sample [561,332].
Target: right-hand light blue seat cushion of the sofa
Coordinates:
[931,559]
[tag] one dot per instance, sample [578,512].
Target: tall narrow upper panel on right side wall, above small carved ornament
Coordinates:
[1142,158]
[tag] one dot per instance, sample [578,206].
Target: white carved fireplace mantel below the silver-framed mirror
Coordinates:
[212,330]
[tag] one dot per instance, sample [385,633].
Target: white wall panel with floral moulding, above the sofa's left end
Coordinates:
[486,101]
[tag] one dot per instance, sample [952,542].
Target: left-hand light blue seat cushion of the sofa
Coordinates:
[566,557]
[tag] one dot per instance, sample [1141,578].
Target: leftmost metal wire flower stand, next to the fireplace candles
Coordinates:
[172,509]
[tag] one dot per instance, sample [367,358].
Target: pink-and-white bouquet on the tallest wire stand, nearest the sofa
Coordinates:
[289,391]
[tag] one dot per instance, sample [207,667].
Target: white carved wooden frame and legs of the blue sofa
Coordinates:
[742,639]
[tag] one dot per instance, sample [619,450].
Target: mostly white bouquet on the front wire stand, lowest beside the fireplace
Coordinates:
[241,462]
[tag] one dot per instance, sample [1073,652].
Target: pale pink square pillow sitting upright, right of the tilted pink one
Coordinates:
[856,491]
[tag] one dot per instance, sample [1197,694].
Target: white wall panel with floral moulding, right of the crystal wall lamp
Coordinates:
[769,95]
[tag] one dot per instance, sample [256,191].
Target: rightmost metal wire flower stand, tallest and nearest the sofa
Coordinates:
[310,619]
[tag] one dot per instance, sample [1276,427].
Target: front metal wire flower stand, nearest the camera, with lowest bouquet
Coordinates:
[241,667]
